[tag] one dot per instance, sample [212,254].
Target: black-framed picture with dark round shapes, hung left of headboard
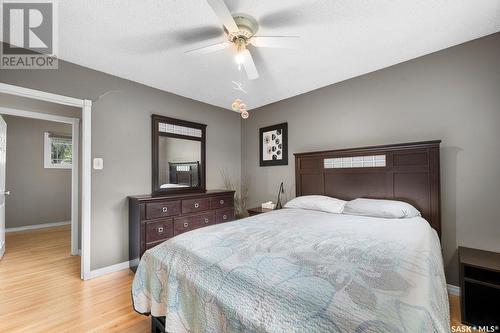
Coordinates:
[274,145]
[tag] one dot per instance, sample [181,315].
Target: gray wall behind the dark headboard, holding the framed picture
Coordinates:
[453,95]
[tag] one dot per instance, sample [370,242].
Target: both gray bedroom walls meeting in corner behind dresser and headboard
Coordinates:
[451,95]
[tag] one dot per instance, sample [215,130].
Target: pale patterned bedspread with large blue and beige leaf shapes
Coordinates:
[297,271]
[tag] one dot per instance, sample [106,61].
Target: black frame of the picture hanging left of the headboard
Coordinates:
[282,149]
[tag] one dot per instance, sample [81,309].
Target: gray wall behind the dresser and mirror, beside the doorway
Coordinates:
[121,134]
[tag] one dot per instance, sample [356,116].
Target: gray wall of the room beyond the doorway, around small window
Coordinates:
[38,195]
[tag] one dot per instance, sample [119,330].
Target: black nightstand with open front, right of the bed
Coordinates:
[480,287]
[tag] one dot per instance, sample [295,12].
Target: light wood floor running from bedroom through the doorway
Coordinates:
[41,290]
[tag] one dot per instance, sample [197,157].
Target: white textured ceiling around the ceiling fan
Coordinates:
[145,40]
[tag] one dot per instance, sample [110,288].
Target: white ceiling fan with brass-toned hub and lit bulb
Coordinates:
[240,30]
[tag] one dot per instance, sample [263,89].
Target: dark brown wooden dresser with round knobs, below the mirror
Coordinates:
[154,219]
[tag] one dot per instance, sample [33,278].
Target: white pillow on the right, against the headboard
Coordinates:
[390,209]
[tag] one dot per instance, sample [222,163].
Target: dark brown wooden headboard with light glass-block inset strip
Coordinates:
[410,174]
